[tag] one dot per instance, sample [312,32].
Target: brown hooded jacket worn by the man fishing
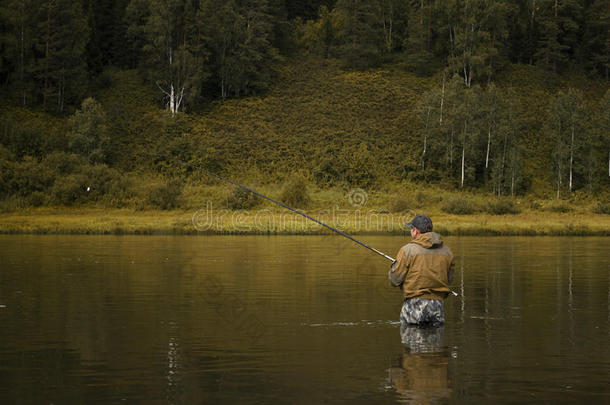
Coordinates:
[423,268]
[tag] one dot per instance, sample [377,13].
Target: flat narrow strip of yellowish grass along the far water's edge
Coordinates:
[97,221]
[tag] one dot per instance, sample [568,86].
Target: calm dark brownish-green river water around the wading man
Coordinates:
[297,320]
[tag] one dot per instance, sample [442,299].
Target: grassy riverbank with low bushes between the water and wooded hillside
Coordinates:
[215,208]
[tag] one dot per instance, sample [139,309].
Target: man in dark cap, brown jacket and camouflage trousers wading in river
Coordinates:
[423,270]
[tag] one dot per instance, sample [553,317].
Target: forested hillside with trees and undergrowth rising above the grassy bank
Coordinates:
[505,97]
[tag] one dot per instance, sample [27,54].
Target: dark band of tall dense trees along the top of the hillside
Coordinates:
[52,53]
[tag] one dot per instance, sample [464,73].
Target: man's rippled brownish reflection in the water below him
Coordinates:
[421,374]
